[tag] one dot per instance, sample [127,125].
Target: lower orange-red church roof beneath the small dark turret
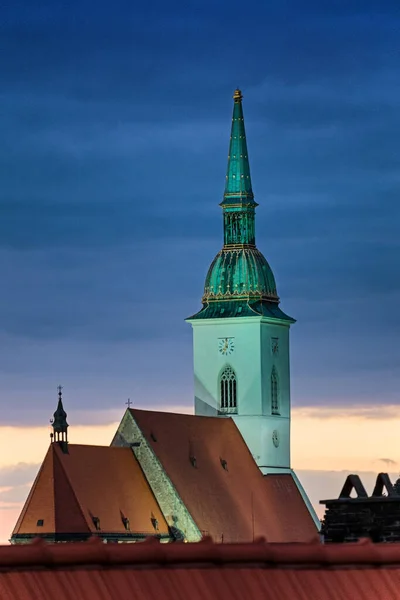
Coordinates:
[90,481]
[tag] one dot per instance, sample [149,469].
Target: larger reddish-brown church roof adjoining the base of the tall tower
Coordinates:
[232,504]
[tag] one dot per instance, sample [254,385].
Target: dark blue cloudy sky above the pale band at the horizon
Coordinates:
[115,123]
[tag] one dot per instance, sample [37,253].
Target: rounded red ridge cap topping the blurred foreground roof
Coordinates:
[312,554]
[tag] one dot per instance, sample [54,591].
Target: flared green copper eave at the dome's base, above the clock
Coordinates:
[224,309]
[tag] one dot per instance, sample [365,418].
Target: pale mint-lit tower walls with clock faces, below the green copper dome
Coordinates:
[259,345]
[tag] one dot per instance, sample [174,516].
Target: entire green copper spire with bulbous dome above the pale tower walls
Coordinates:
[239,282]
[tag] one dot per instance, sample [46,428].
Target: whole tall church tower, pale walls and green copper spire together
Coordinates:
[241,336]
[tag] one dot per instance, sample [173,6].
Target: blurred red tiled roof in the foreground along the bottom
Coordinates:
[150,571]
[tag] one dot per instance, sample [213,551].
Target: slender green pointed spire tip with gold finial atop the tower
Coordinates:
[238,189]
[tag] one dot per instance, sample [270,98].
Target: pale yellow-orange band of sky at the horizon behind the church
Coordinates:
[326,444]
